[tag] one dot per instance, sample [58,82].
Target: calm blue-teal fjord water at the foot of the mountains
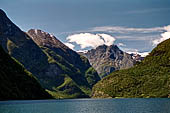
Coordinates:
[87,106]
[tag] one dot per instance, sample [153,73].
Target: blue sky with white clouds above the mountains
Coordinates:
[133,25]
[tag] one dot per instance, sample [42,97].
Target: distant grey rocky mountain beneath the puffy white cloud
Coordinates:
[106,59]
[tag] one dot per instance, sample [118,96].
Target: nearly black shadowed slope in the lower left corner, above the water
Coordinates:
[16,82]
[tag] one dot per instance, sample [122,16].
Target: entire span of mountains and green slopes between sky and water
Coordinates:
[39,63]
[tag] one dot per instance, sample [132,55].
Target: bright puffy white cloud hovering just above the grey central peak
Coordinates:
[91,40]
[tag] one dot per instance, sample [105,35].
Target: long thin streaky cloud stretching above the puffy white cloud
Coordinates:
[119,30]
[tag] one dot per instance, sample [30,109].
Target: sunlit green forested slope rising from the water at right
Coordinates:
[150,78]
